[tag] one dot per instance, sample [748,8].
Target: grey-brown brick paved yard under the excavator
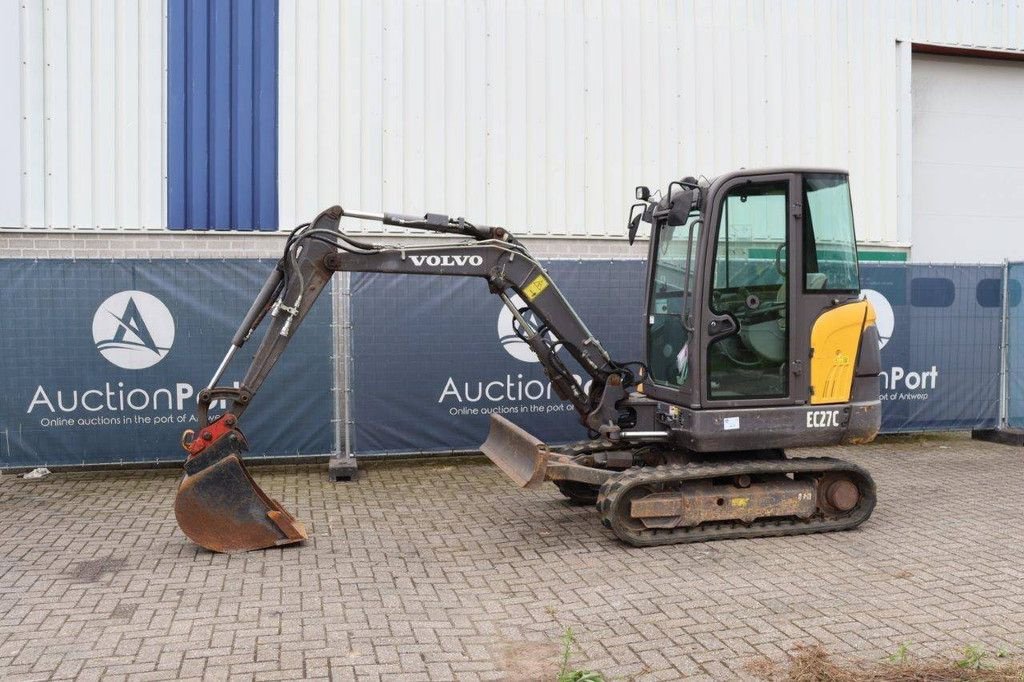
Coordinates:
[442,570]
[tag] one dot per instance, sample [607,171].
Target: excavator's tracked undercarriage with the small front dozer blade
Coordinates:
[652,495]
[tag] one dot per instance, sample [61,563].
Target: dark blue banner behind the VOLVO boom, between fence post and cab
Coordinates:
[435,357]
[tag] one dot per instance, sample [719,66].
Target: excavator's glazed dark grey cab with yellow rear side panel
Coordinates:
[754,300]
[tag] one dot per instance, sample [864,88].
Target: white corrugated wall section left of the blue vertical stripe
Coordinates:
[84,95]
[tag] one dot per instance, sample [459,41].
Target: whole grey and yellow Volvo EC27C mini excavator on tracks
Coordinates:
[757,340]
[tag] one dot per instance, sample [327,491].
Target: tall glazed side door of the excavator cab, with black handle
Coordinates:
[754,351]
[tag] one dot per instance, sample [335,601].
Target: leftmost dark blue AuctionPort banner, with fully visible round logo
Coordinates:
[102,361]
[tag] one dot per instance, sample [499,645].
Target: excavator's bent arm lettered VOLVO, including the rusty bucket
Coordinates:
[221,507]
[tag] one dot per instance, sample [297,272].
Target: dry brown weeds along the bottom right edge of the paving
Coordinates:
[815,664]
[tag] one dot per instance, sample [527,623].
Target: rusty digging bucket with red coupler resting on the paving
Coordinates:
[222,508]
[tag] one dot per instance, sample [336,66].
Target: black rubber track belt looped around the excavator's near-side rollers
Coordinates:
[614,491]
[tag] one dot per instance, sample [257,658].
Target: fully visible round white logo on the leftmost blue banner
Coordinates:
[134,330]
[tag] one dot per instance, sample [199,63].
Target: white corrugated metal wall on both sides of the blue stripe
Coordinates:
[538,115]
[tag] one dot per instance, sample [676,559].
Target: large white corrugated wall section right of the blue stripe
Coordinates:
[542,116]
